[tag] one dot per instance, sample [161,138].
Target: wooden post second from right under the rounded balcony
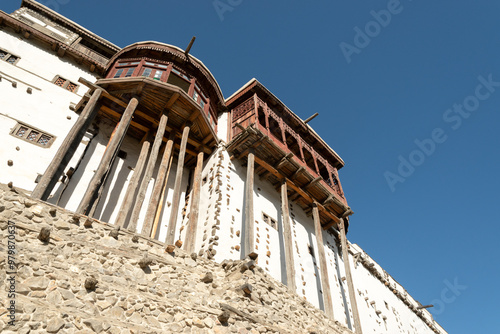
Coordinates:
[170,239]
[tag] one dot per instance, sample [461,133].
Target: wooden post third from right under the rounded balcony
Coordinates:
[158,188]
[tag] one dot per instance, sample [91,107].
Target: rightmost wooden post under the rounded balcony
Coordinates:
[195,206]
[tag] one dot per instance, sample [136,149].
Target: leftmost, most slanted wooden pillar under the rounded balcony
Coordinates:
[67,149]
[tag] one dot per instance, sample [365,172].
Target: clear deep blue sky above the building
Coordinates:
[405,84]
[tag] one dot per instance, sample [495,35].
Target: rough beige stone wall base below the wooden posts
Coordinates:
[141,287]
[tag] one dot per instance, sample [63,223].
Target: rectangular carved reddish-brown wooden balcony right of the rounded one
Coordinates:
[282,153]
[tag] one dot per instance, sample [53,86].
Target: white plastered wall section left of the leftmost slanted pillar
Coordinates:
[46,108]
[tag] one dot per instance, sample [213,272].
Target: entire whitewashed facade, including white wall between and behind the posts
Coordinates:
[30,98]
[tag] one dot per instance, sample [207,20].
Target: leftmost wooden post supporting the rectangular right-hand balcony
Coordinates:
[248,242]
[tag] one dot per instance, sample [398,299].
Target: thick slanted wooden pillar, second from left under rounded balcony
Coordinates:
[113,146]
